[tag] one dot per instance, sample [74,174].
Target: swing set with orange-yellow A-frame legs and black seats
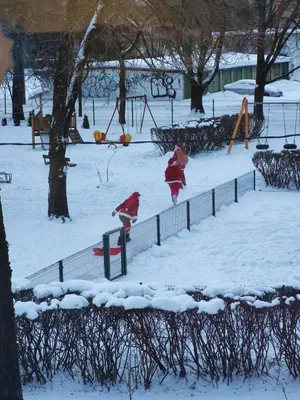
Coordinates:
[264,145]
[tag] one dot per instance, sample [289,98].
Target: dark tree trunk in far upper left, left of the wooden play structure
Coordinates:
[18,90]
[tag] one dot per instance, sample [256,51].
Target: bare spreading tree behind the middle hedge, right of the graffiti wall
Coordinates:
[194,32]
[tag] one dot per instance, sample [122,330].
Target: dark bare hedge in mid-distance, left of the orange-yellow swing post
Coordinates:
[207,134]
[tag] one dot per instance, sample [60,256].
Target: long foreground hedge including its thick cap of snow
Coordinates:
[96,331]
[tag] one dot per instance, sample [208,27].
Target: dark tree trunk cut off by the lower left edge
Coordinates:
[10,381]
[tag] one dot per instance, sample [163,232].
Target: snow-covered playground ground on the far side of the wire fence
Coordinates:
[36,243]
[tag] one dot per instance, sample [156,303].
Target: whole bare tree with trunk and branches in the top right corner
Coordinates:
[276,21]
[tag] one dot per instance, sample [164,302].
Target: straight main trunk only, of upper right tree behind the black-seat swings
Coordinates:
[260,67]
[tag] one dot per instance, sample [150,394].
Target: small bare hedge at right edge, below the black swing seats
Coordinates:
[281,170]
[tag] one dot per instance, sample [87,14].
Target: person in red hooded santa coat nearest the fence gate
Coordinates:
[128,212]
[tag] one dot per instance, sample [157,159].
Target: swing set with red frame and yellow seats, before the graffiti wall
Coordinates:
[133,114]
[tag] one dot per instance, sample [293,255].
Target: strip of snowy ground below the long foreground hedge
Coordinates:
[279,388]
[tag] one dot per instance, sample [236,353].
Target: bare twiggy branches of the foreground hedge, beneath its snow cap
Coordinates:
[111,345]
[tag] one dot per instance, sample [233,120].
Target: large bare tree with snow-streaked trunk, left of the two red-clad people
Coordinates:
[67,83]
